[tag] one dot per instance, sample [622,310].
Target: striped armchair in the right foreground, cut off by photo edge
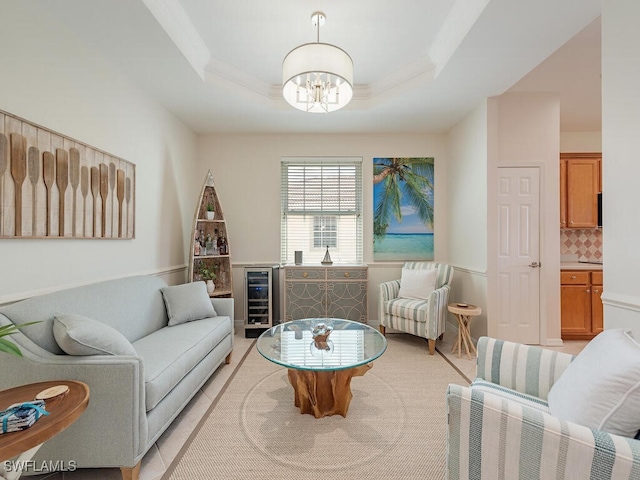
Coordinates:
[501,428]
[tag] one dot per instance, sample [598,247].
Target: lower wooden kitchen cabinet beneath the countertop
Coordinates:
[581,305]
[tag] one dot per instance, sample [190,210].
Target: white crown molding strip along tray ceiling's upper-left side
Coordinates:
[176,23]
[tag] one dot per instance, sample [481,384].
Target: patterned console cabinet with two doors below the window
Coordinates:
[325,292]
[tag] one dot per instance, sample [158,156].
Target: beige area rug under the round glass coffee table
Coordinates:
[395,427]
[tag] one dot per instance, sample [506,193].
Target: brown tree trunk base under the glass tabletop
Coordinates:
[324,393]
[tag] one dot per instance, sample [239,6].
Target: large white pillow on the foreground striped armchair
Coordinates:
[601,388]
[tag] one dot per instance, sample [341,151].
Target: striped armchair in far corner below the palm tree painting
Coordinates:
[424,318]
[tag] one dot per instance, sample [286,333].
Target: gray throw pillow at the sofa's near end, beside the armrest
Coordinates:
[79,335]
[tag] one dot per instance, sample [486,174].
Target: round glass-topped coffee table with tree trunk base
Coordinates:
[322,355]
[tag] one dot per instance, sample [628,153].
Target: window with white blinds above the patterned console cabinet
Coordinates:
[322,206]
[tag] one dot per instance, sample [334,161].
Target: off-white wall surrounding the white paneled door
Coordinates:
[524,129]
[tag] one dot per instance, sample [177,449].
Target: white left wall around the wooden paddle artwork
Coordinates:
[48,78]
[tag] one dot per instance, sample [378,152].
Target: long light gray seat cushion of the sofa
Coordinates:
[170,353]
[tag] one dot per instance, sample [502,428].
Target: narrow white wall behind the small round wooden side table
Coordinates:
[467,214]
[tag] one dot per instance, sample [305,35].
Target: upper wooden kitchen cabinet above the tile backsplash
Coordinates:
[580,180]
